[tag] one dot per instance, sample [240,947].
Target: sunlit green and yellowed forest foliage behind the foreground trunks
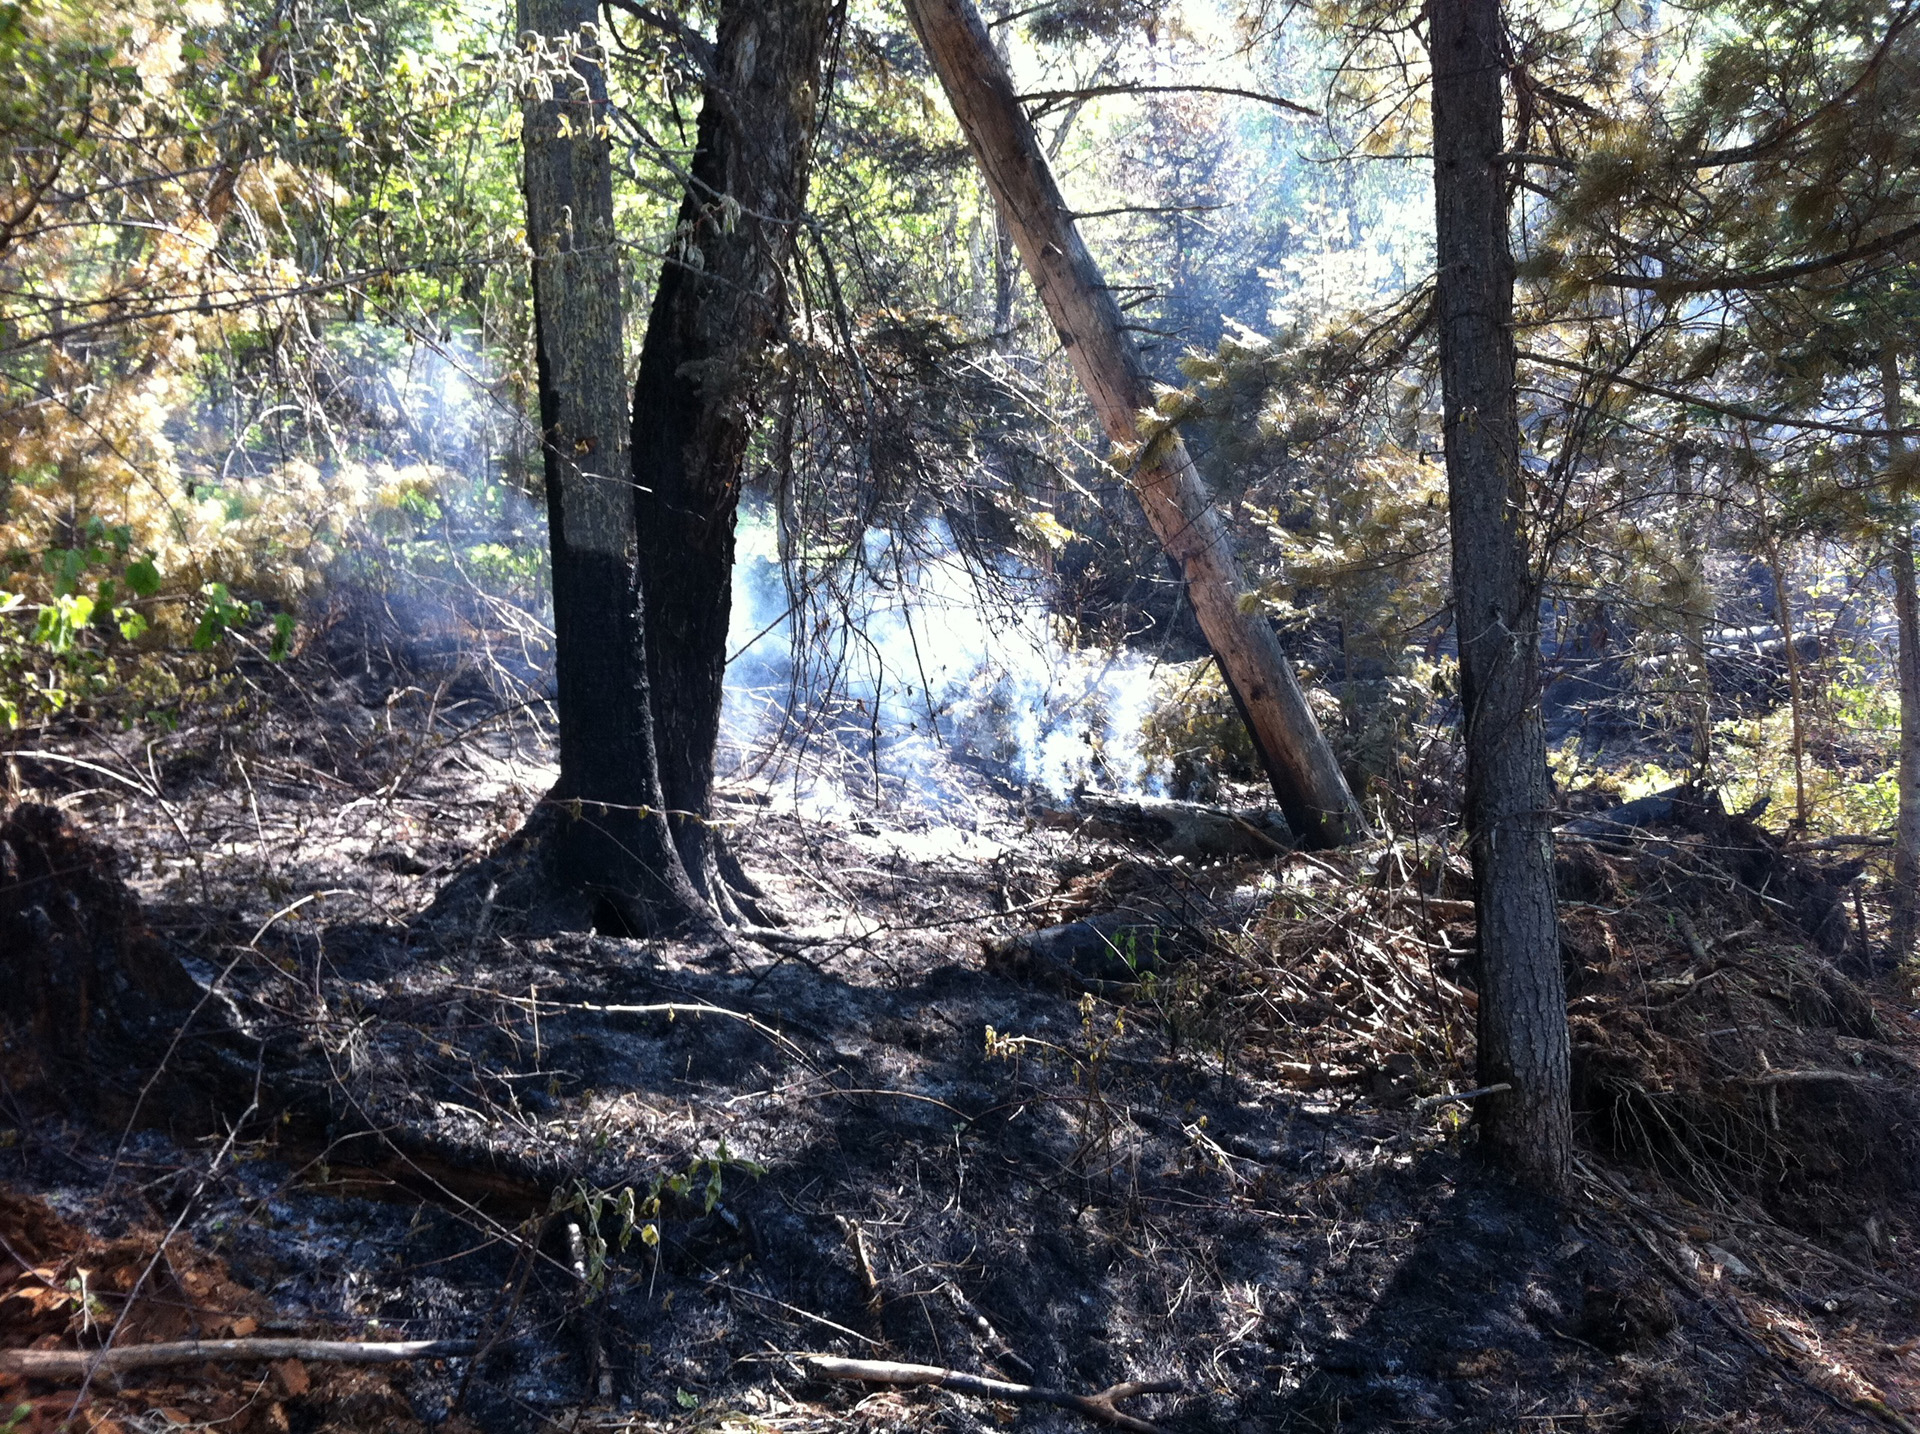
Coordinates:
[268,358]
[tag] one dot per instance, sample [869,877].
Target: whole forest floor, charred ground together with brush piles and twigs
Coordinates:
[1218,1153]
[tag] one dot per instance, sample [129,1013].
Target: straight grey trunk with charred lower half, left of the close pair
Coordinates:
[610,830]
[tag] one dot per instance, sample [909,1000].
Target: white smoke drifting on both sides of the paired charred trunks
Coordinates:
[913,675]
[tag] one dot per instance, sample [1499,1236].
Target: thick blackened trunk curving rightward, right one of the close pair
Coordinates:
[719,304]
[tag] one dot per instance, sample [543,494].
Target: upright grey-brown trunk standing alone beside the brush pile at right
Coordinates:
[1497,608]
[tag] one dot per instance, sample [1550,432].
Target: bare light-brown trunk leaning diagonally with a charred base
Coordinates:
[1297,757]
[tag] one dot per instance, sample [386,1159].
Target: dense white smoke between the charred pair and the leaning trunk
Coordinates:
[924,677]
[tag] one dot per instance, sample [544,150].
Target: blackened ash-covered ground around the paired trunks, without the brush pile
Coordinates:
[867,1143]
